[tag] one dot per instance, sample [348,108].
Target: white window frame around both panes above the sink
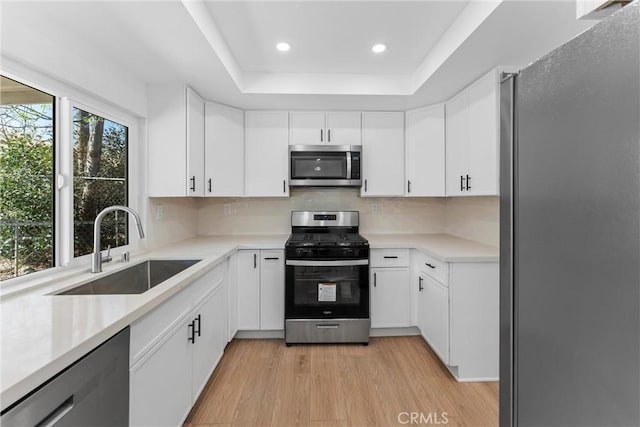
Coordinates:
[64,99]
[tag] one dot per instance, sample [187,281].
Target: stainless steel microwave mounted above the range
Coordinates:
[325,165]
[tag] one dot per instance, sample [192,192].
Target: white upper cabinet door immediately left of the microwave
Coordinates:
[267,142]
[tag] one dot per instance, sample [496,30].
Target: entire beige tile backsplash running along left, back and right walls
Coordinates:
[473,218]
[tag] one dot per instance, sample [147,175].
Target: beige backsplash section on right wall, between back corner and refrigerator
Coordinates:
[474,218]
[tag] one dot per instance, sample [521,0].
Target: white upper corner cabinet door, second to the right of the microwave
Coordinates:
[425,151]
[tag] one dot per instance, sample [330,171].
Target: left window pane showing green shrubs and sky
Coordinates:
[27,147]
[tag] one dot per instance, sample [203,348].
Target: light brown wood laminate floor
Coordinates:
[265,383]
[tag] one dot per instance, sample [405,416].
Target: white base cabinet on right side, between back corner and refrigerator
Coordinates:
[458,314]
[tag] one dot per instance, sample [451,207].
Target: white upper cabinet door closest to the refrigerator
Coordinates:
[483,130]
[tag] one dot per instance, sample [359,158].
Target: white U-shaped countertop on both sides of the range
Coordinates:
[42,334]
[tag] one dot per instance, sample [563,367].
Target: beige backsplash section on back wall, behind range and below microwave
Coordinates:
[273,215]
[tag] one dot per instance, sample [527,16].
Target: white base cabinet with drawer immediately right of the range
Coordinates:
[390,288]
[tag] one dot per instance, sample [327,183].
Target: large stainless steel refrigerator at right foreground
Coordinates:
[570,232]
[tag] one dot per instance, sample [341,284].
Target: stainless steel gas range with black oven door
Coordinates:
[326,279]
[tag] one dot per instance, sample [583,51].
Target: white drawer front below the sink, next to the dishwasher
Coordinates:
[146,331]
